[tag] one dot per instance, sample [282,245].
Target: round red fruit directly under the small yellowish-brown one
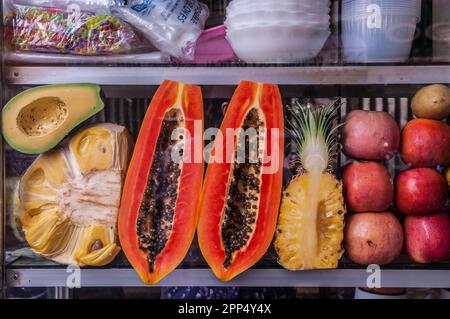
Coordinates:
[425,143]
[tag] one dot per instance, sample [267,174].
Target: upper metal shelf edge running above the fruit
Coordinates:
[231,75]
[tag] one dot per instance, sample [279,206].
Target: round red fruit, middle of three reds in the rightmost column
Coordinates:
[420,191]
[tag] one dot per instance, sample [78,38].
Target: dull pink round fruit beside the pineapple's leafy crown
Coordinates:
[370,135]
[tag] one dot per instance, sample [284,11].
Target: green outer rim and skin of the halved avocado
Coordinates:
[99,105]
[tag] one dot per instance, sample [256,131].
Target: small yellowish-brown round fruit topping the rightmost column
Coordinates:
[432,102]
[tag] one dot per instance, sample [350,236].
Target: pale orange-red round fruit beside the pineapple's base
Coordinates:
[373,238]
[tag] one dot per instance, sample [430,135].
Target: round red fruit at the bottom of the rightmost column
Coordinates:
[427,237]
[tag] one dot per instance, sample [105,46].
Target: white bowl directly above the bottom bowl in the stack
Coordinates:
[261,17]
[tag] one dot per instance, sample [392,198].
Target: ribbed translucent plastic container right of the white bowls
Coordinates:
[373,33]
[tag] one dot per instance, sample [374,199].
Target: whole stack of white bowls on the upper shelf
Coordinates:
[280,31]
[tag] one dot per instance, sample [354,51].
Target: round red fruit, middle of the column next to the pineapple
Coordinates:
[367,187]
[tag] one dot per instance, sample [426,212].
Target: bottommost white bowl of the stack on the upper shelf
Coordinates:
[277,44]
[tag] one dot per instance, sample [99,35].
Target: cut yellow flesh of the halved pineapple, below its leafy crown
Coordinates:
[311,223]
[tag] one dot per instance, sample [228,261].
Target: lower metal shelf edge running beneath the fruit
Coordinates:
[251,278]
